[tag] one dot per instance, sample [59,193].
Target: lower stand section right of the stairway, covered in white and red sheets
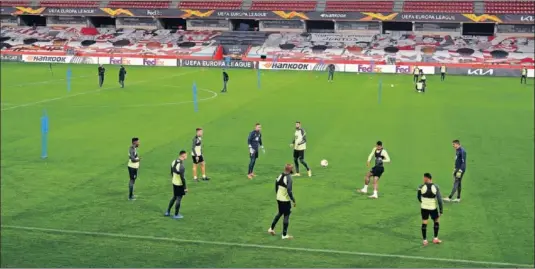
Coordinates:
[445,48]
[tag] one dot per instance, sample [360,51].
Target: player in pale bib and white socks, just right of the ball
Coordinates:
[381,157]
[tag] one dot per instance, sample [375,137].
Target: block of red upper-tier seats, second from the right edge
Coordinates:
[439,6]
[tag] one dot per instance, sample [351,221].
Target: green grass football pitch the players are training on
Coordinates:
[71,210]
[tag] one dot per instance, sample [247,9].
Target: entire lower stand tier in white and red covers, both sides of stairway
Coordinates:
[417,47]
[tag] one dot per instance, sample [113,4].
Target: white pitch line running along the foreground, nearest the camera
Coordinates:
[231,244]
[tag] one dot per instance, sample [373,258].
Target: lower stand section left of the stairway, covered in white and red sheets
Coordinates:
[110,41]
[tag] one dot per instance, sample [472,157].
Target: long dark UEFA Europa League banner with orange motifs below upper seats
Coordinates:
[270,15]
